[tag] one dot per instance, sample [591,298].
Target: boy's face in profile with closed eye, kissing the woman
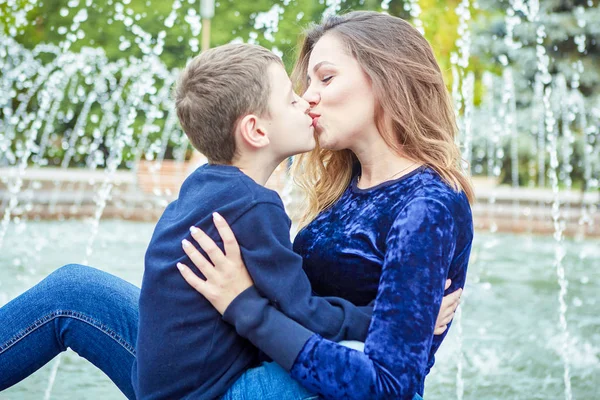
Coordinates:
[289,125]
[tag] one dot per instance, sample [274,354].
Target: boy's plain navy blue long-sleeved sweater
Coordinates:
[184,347]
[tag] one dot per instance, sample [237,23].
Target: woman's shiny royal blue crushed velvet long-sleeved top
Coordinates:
[397,243]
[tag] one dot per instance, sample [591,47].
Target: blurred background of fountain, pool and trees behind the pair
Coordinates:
[91,152]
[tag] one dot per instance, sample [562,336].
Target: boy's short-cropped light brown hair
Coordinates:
[216,89]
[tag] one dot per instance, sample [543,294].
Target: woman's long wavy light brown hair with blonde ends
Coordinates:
[414,112]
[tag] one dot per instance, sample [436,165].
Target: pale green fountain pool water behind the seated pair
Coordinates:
[510,345]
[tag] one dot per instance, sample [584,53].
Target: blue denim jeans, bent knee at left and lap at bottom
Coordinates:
[96,315]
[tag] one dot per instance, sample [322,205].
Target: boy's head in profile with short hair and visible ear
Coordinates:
[238,97]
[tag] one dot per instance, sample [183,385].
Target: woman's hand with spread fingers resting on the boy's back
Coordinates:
[228,277]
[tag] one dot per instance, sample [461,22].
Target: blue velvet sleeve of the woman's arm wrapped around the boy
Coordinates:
[420,247]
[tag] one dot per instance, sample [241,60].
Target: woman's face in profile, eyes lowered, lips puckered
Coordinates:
[340,95]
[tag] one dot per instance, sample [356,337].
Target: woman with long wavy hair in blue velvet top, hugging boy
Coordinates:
[388,202]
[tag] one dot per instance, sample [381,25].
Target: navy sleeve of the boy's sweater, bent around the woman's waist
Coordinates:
[264,237]
